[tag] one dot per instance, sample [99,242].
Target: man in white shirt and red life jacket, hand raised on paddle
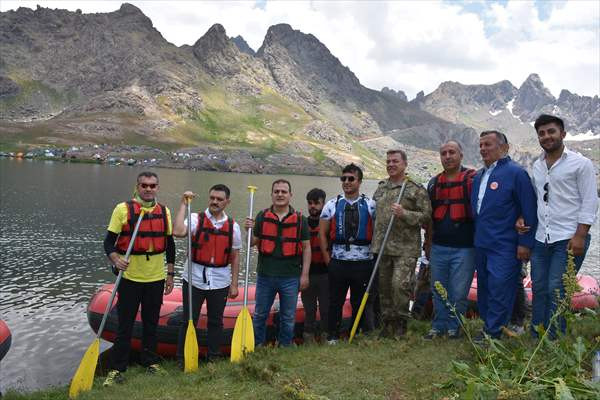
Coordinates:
[216,243]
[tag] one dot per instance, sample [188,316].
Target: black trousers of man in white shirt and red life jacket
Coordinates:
[216,299]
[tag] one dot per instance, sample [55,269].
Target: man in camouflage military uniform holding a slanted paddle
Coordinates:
[403,247]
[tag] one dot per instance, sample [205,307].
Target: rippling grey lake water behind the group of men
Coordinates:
[54,218]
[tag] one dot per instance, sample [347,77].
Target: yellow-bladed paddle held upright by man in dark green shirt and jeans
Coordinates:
[242,341]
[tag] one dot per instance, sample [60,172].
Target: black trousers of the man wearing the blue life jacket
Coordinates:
[353,275]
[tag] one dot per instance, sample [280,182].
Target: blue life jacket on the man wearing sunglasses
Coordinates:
[351,223]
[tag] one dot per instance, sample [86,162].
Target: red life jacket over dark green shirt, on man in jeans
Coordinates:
[289,230]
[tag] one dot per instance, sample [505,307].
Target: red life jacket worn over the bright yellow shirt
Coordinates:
[152,232]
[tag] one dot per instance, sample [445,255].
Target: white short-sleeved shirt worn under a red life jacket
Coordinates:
[216,278]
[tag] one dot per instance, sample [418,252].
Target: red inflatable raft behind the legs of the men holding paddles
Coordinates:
[171,314]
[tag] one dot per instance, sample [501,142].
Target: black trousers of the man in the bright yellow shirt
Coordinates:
[131,295]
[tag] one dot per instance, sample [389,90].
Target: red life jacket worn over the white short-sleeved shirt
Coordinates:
[211,247]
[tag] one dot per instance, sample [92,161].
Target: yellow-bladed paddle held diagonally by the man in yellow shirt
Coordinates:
[84,376]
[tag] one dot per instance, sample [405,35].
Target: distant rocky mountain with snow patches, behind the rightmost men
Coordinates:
[512,110]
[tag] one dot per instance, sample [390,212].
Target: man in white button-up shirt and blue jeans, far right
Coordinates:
[567,198]
